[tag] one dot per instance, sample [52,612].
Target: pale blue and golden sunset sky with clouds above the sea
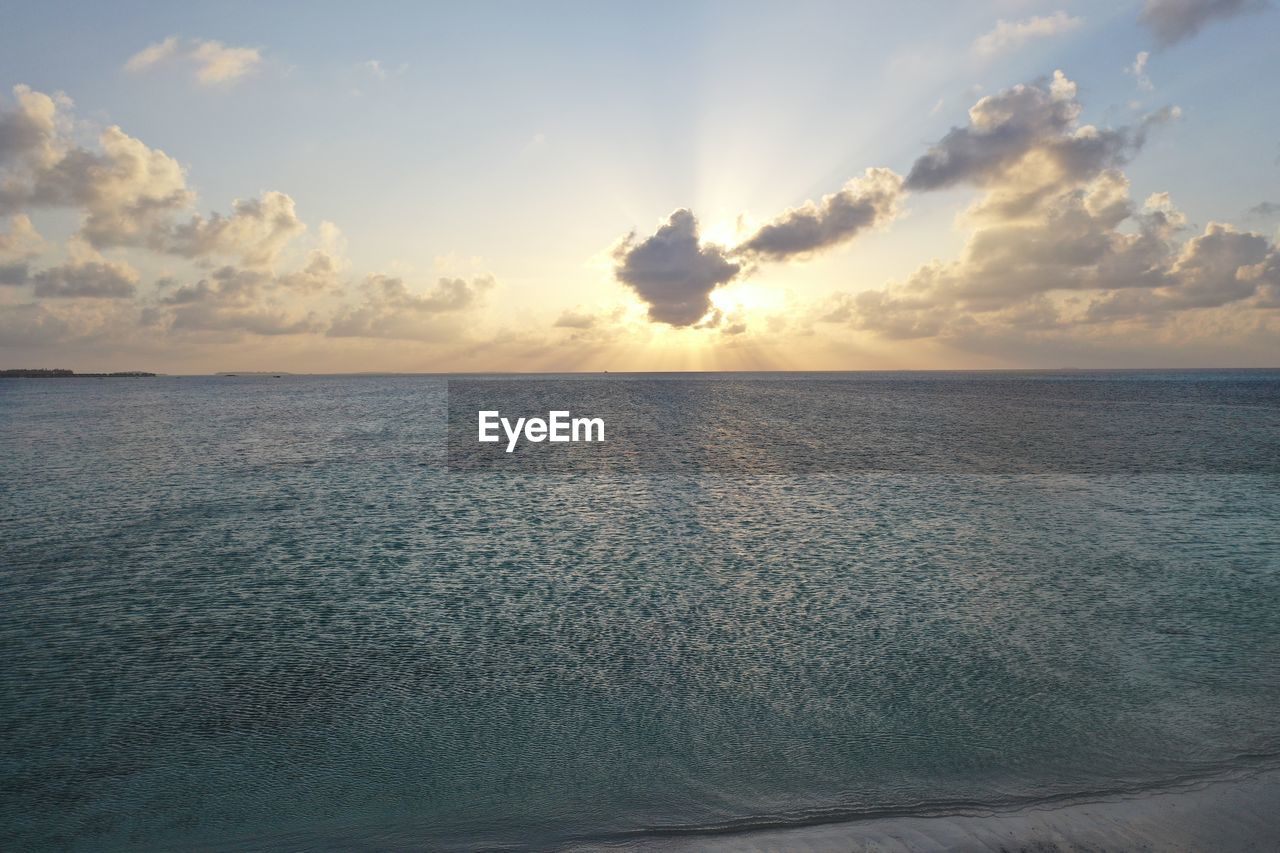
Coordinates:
[664,186]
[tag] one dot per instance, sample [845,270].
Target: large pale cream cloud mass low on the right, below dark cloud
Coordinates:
[1082,257]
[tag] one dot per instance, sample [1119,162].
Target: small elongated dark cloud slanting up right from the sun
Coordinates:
[863,203]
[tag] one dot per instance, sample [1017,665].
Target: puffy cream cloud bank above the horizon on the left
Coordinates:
[132,198]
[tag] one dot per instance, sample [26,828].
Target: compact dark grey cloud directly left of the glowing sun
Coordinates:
[674,272]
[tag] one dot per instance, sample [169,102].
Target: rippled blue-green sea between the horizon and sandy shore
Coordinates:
[268,614]
